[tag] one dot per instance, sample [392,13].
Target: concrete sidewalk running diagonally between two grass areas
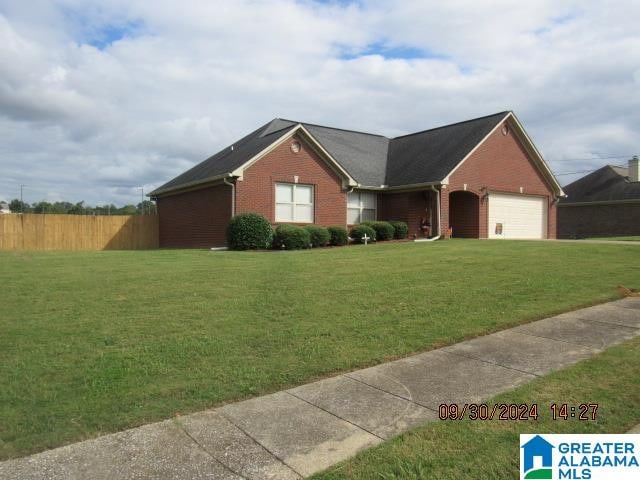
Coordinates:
[297,432]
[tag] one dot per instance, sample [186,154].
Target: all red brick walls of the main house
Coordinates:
[198,218]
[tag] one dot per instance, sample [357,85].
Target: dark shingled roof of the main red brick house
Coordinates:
[369,160]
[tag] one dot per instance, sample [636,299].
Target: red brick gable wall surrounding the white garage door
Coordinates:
[500,164]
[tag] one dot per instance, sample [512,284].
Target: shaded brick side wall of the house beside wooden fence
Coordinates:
[195,219]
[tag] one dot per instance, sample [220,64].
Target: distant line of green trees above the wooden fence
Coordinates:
[146,207]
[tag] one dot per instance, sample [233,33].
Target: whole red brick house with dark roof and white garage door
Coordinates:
[464,180]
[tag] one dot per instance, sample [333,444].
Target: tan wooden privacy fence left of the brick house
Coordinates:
[32,231]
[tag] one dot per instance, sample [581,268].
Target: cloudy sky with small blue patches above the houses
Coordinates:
[99,98]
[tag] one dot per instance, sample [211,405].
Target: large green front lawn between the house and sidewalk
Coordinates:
[97,342]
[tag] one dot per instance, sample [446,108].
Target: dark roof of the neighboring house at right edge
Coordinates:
[607,184]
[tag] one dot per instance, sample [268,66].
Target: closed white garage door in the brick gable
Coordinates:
[517,216]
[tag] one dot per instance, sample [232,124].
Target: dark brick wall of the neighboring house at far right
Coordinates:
[598,220]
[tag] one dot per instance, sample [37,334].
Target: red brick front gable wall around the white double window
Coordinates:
[256,192]
